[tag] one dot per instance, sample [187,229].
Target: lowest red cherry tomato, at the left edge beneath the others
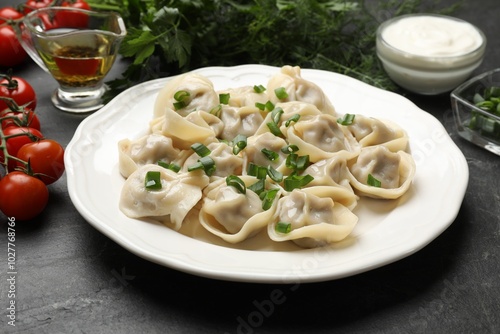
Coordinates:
[22,196]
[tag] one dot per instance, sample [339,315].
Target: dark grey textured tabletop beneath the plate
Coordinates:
[73,279]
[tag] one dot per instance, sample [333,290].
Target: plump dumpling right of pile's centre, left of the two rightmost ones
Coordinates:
[321,137]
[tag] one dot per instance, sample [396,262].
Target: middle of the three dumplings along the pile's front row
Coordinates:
[232,215]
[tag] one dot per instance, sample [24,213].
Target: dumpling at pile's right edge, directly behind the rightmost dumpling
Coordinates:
[370,131]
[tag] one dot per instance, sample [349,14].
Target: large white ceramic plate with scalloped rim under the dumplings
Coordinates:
[386,232]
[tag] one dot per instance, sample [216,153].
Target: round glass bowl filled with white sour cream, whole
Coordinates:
[429,54]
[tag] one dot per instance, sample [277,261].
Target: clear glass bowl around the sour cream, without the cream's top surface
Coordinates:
[422,74]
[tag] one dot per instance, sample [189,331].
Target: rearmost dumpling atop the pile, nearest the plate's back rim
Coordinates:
[298,89]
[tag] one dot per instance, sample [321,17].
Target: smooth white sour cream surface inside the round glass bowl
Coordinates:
[432,36]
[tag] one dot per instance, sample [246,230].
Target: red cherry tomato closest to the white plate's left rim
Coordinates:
[46,159]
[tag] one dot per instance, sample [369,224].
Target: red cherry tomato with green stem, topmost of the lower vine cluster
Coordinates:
[17,89]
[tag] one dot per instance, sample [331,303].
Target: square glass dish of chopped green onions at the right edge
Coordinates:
[473,123]
